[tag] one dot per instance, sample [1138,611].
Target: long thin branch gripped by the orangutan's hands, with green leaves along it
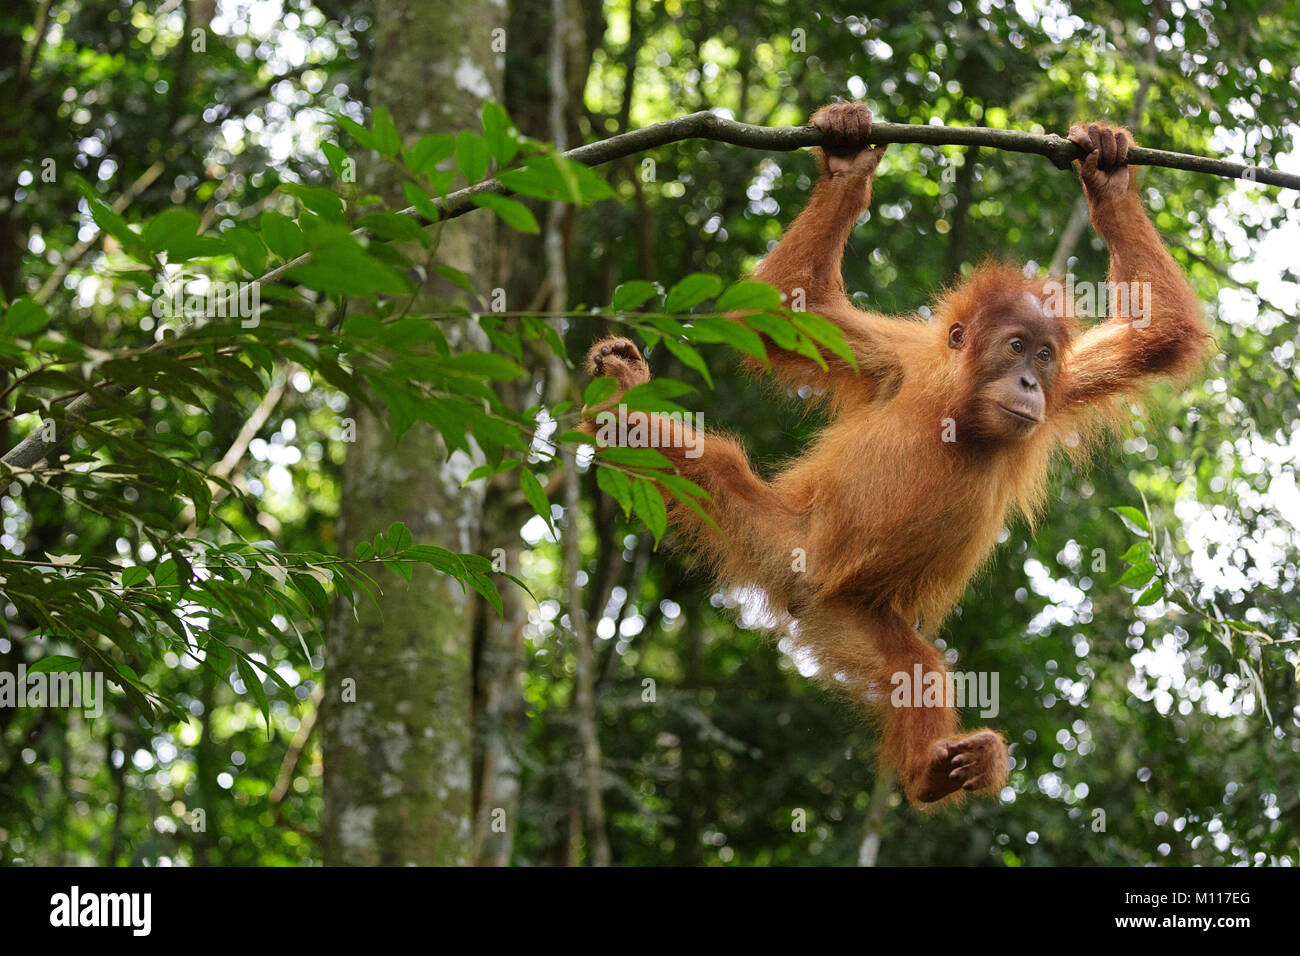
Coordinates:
[556,176]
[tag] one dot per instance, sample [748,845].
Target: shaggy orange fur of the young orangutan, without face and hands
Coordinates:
[892,520]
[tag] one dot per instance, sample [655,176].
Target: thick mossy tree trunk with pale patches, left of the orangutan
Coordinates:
[398,758]
